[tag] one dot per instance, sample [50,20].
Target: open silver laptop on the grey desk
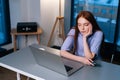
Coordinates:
[51,59]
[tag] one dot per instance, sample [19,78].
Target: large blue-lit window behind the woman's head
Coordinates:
[105,12]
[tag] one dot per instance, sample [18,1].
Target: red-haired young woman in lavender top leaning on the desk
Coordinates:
[84,40]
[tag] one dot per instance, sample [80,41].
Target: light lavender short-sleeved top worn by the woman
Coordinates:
[94,42]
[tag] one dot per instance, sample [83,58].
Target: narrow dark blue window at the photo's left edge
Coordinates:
[4,22]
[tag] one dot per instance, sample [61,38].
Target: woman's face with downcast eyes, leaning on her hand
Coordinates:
[84,26]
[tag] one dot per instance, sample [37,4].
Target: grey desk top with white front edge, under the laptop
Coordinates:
[22,61]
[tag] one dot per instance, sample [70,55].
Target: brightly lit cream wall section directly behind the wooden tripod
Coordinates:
[49,12]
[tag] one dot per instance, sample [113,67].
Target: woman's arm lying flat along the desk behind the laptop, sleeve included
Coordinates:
[67,45]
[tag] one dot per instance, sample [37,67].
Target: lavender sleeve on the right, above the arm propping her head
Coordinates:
[95,45]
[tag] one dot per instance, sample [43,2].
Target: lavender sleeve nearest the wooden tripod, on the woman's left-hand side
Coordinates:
[69,41]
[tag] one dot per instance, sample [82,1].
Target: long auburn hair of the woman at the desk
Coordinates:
[88,16]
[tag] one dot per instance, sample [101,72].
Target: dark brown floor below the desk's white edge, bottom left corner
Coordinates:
[6,74]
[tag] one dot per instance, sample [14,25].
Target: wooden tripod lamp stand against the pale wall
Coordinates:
[59,19]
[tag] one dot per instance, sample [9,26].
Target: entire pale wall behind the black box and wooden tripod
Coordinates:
[44,12]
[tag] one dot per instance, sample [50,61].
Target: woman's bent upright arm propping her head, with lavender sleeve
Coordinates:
[93,48]
